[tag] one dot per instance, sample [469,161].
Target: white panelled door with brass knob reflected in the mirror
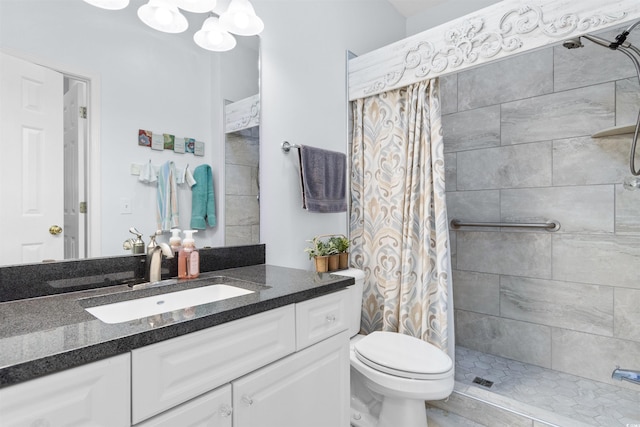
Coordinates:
[31,180]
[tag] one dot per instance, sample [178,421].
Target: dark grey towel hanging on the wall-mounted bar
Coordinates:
[323,177]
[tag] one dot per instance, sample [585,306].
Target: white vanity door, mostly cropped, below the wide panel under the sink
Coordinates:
[210,410]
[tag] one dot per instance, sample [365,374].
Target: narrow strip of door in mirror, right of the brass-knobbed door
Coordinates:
[74,194]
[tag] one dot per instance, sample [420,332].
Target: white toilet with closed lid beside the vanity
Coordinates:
[392,374]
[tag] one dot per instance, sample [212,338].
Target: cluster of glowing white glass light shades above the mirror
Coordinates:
[163,15]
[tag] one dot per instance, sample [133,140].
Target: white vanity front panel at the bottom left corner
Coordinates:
[97,395]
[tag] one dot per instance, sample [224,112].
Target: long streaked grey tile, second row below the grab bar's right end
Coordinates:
[577,306]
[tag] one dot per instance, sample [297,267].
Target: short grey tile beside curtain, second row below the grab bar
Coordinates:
[477,292]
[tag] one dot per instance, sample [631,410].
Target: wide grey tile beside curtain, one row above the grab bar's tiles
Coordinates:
[526,165]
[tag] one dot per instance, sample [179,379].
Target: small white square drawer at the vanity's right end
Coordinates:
[321,317]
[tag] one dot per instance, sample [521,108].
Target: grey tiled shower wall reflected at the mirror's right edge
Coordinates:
[242,207]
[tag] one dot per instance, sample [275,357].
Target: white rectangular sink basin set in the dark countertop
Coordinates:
[143,307]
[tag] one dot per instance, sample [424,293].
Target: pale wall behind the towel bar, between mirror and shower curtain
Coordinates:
[304,101]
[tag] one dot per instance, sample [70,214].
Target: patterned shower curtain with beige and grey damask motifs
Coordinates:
[398,219]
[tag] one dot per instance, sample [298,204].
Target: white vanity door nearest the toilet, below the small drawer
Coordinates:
[309,388]
